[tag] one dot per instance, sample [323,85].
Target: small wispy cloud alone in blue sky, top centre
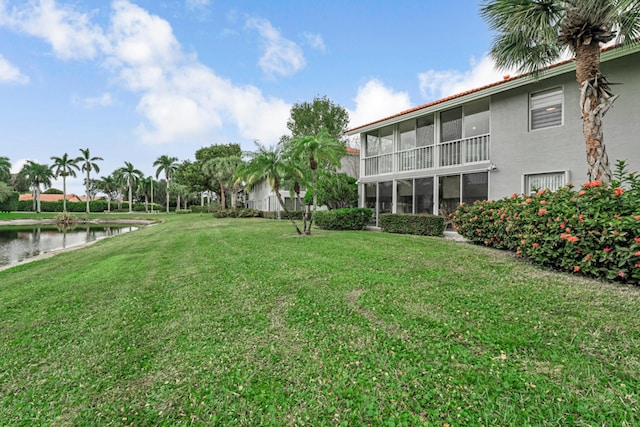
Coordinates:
[281,56]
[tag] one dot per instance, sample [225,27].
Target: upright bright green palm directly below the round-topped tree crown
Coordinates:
[322,149]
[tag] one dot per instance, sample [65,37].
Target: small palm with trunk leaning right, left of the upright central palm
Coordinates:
[268,164]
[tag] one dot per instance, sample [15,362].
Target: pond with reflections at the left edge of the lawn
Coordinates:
[19,243]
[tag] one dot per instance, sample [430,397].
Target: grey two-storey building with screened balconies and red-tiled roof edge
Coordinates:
[507,137]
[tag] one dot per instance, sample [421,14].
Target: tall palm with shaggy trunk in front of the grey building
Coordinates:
[533,34]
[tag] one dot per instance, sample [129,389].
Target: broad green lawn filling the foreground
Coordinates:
[198,321]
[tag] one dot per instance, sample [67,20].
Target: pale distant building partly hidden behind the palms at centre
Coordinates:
[263,198]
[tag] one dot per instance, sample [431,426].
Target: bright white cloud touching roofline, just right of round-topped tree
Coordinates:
[375,101]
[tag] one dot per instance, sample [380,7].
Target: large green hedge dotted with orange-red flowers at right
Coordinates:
[594,231]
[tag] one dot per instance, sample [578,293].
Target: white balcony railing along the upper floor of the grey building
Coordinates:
[451,153]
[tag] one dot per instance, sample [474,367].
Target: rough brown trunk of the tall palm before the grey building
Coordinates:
[595,101]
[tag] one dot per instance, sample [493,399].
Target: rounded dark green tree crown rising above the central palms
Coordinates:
[310,118]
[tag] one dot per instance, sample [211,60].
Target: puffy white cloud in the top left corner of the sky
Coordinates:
[70,33]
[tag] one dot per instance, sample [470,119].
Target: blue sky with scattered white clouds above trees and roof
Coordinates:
[136,79]
